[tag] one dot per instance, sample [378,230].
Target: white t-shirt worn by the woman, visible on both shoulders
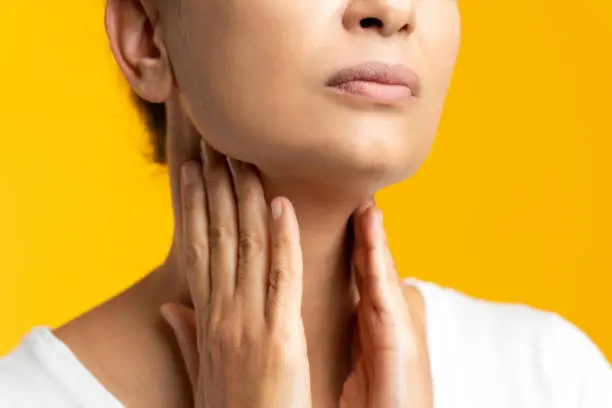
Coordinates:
[483,355]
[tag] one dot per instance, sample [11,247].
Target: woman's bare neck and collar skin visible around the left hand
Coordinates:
[139,353]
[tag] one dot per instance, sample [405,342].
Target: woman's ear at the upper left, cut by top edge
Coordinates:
[135,38]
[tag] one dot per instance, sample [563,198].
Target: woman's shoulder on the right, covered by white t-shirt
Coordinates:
[512,350]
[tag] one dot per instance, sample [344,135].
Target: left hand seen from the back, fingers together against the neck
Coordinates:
[244,344]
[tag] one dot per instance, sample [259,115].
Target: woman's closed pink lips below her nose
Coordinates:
[377,81]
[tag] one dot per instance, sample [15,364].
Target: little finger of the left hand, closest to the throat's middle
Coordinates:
[285,282]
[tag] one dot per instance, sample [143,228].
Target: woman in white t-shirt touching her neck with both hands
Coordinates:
[328,102]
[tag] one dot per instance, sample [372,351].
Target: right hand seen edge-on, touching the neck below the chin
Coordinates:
[390,365]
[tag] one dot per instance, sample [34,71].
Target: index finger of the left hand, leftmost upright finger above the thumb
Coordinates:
[195,236]
